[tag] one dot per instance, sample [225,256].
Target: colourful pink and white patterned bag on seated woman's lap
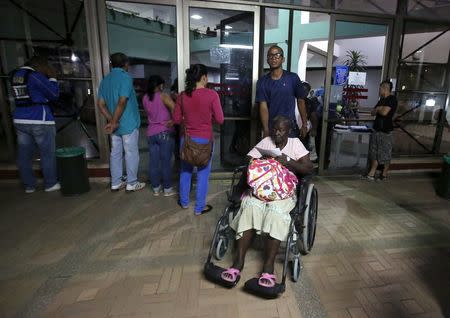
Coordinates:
[270,180]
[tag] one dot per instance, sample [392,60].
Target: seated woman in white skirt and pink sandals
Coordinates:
[269,217]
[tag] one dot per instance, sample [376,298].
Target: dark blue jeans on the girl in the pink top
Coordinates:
[160,149]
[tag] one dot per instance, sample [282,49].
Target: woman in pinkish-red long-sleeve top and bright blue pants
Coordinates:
[201,108]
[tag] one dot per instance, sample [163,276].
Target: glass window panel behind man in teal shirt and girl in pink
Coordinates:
[146,33]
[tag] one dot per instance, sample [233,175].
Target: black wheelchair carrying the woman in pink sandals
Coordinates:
[302,232]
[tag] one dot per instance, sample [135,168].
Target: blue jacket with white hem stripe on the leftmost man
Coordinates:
[41,90]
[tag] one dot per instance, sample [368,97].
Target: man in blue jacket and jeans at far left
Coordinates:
[34,86]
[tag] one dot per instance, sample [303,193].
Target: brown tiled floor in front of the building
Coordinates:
[382,250]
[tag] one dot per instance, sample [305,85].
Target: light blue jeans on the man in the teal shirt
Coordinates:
[129,144]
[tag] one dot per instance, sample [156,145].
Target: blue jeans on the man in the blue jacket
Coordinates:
[28,137]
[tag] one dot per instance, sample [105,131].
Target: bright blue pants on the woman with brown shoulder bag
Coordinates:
[202,180]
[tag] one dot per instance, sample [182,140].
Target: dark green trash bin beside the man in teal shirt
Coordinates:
[72,170]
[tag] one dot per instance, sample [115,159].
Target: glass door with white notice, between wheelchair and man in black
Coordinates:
[355,68]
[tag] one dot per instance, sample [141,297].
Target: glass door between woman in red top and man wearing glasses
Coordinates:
[225,39]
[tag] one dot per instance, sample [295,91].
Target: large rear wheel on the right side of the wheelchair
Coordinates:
[308,234]
